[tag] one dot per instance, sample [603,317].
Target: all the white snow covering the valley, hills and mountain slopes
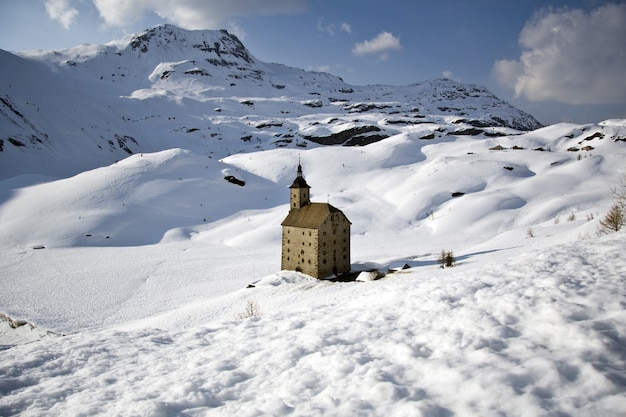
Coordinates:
[133,275]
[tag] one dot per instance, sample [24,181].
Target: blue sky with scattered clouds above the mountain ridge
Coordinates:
[558,60]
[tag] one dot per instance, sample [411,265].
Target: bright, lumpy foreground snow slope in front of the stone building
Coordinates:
[541,334]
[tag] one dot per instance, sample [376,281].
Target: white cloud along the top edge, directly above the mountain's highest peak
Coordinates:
[192,14]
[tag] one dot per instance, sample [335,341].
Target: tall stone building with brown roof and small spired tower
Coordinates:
[316,236]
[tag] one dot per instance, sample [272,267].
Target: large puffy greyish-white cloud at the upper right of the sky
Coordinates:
[570,56]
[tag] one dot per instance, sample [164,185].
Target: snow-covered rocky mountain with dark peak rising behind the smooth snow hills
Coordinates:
[202,90]
